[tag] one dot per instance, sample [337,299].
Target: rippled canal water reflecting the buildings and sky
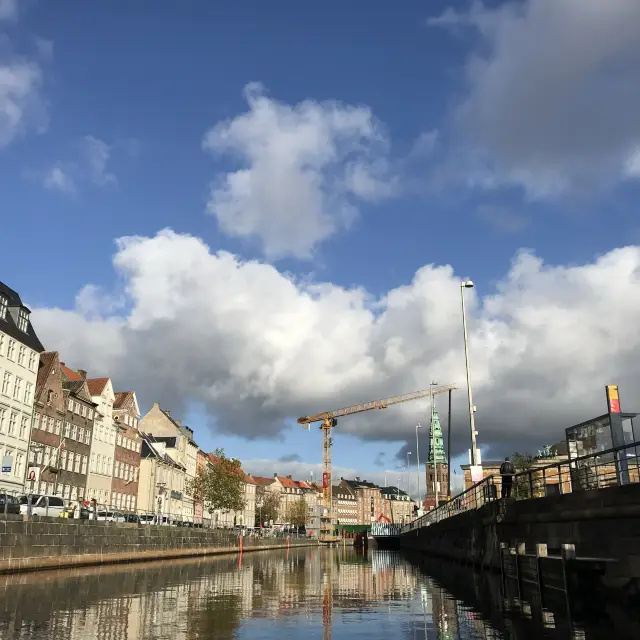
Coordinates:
[300,594]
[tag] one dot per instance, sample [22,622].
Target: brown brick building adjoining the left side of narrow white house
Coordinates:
[76,435]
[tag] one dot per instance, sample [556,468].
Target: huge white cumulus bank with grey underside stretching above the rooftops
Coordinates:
[258,348]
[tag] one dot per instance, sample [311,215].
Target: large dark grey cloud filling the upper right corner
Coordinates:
[553,93]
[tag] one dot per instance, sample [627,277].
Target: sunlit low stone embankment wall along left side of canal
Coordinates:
[51,543]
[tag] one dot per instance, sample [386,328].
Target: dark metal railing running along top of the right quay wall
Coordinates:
[612,467]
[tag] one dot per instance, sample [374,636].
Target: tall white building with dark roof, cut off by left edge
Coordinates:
[19,359]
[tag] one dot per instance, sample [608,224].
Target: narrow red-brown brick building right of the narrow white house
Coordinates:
[127,452]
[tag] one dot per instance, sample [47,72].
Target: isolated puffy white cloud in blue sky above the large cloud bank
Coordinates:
[303,170]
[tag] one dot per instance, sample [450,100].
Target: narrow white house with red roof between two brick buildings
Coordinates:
[104,441]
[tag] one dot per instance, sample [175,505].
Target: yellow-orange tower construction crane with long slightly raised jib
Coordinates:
[329,420]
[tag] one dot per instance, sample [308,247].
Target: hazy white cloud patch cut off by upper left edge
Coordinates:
[21,104]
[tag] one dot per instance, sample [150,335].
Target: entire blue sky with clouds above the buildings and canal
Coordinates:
[254,211]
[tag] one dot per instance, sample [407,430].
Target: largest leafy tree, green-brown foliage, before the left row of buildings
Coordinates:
[220,485]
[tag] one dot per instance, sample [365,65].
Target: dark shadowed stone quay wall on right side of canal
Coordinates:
[599,524]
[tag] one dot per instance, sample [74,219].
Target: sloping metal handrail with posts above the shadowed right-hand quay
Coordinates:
[486,489]
